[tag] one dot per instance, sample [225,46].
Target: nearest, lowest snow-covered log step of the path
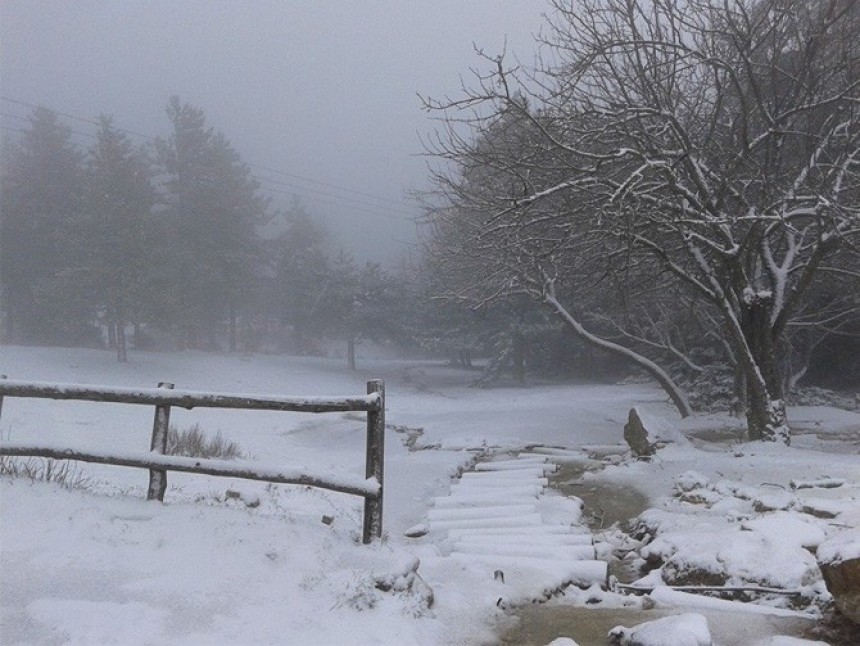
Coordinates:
[553,573]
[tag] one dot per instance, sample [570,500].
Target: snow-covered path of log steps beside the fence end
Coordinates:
[500,518]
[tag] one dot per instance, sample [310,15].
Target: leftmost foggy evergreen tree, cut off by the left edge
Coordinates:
[40,217]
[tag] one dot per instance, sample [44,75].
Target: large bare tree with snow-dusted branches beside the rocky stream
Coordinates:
[711,145]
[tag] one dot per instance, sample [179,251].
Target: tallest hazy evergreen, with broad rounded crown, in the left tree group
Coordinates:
[213,207]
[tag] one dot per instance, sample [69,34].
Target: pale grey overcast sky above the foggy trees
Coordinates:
[321,90]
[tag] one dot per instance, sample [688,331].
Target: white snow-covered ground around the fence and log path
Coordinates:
[99,564]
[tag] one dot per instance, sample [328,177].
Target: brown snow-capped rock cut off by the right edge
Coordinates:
[839,560]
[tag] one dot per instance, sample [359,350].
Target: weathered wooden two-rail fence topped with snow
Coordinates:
[164,397]
